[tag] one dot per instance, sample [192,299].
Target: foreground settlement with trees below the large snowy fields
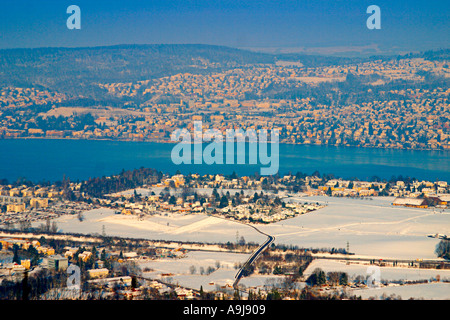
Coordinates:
[117,268]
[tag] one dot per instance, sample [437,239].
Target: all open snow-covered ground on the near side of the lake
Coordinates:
[373,228]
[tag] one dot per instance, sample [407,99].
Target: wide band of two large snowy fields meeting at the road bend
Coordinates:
[372,227]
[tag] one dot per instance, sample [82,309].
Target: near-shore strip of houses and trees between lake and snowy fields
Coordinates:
[251,199]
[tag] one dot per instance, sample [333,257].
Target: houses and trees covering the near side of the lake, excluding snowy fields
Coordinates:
[117,268]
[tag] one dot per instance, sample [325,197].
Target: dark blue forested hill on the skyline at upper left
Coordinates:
[74,70]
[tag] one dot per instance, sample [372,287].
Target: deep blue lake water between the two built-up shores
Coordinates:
[47,159]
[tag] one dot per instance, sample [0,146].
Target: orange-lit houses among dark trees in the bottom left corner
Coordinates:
[109,272]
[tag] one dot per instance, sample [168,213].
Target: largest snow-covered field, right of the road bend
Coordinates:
[372,227]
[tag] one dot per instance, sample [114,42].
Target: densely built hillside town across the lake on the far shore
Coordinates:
[238,98]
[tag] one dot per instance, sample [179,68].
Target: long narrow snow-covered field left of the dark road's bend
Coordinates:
[174,226]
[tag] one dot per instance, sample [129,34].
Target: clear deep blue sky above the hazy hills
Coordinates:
[409,25]
